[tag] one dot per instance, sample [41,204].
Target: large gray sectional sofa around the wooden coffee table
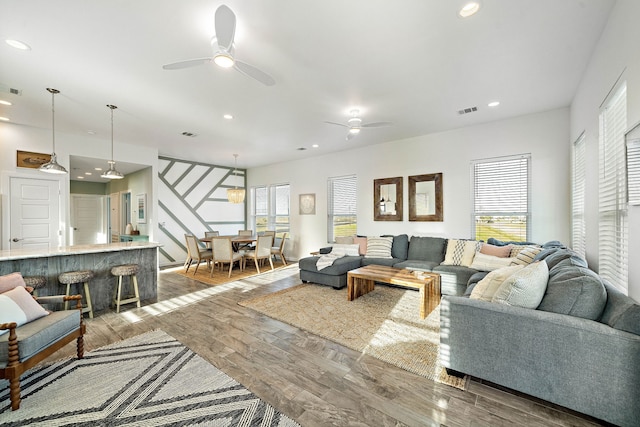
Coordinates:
[579,349]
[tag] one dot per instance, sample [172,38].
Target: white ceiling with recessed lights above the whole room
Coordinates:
[411,62]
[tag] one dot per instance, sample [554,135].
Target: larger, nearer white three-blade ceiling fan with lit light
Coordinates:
[224,49]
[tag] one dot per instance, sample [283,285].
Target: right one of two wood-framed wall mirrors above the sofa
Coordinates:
[425,197]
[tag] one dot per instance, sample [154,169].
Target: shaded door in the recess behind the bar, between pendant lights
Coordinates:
[88,225]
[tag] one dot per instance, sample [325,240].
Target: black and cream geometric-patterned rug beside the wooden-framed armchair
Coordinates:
[151,379]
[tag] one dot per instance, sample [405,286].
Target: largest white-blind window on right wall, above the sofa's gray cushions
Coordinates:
[612,213]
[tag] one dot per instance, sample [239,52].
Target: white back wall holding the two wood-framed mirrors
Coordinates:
[544,135]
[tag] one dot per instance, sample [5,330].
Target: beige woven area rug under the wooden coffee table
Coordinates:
[385,324]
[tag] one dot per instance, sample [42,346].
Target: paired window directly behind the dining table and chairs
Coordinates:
[270,208]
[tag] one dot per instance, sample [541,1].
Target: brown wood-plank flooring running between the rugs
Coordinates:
[313,380]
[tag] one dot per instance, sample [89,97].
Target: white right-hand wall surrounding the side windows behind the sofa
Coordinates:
[617,54]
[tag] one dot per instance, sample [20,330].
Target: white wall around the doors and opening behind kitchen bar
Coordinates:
[15,137]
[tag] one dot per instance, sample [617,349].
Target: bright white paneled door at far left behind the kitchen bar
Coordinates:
[34,213]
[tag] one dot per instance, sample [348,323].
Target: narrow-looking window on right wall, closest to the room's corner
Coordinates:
[578,169]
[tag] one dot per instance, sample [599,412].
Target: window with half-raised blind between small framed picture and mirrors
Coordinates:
[341,207]
